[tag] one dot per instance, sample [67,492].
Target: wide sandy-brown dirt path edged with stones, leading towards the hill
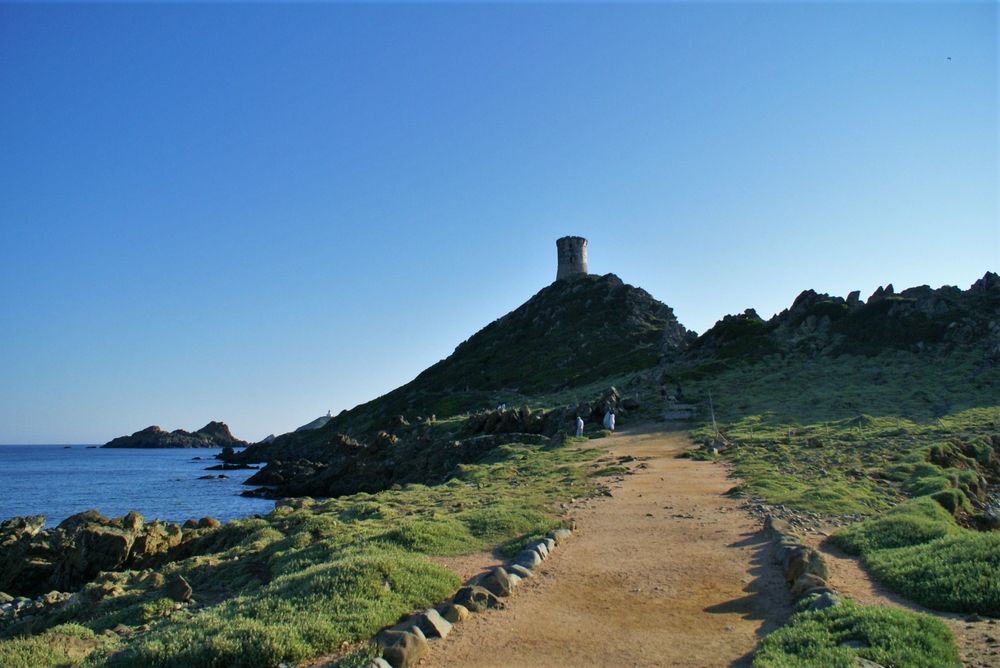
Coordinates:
[667,572]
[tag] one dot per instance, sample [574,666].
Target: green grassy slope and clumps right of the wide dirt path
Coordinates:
[899,440]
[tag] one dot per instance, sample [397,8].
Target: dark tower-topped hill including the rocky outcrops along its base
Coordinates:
[572,333]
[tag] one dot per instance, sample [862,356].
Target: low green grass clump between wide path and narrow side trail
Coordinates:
[887,636]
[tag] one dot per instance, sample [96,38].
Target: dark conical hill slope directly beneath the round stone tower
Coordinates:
[568,335]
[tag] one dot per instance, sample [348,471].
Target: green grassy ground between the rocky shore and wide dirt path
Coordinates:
[315,574]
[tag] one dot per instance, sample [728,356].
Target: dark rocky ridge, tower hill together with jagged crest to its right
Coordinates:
[593,328]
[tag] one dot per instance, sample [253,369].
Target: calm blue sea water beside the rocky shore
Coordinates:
[57,482]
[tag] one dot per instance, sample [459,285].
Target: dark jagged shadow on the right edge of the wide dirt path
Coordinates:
[767,597]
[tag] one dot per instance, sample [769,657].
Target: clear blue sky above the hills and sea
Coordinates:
[258,213]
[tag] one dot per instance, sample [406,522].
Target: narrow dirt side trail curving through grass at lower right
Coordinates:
[978,642]
